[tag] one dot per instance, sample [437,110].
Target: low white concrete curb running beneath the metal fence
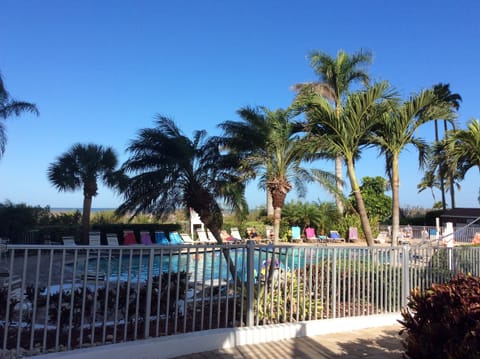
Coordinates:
[208,340]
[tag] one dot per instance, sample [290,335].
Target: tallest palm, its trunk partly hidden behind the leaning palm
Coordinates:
[336,76]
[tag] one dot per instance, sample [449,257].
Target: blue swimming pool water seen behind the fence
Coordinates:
[202,265]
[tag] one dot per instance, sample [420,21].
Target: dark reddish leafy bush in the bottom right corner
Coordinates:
[444,320]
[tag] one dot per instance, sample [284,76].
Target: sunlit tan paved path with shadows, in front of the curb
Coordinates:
[383,342]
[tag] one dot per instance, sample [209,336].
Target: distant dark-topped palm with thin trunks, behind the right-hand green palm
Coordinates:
[443,93]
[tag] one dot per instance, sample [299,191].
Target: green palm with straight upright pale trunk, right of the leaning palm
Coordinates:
[397,131]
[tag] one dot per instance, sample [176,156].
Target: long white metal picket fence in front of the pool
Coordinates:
[57,298]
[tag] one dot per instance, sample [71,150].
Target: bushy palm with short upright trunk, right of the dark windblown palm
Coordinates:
[270,148]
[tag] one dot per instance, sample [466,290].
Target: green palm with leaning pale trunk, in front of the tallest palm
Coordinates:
[346,135]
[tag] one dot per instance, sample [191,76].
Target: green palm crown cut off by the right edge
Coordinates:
[463,147]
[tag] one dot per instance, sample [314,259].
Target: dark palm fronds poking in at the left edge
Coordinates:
[9,107]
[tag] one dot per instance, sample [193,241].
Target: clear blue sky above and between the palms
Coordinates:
[101,70]
